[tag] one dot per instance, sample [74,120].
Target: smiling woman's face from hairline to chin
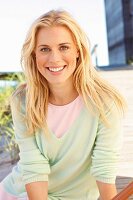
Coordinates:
[56,54]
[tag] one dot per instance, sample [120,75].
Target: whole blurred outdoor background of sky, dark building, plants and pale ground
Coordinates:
[109,27]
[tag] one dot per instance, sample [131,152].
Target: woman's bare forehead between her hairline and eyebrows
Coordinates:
[56,33]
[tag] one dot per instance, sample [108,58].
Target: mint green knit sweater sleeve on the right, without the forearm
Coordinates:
[107,147]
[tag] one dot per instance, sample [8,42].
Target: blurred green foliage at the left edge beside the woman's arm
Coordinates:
[7,139]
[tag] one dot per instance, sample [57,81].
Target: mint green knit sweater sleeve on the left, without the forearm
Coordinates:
[33,165]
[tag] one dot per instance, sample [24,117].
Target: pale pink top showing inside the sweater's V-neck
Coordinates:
[60,118]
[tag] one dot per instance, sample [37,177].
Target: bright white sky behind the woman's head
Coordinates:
[17,15]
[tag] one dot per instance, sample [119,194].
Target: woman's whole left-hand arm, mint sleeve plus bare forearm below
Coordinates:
[33,164]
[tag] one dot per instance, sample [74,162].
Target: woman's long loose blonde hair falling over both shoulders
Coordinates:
[95,91]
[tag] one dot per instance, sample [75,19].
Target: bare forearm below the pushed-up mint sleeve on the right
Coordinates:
[107,191]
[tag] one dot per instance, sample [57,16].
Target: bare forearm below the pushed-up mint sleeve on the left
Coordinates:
[37,190]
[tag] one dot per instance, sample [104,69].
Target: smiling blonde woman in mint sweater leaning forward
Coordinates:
[67,119]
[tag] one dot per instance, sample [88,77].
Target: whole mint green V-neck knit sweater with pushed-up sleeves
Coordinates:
[87,152]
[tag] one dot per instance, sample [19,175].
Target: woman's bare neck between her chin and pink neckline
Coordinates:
[61,94]
